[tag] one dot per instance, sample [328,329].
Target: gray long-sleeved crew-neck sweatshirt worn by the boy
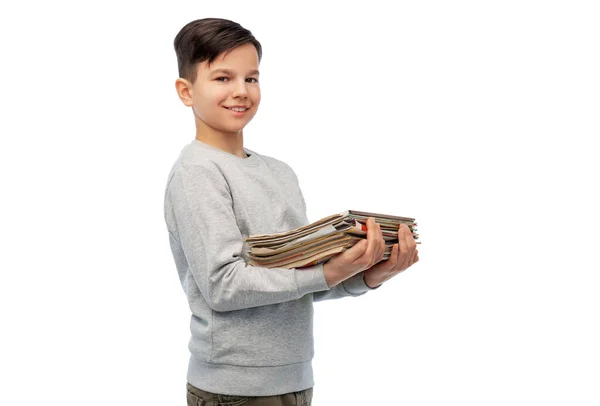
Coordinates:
[251,327]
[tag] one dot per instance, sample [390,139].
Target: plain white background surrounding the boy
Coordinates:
[478,118]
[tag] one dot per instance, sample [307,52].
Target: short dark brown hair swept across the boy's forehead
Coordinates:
[205,39]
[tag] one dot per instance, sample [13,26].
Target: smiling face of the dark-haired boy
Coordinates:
[226,93]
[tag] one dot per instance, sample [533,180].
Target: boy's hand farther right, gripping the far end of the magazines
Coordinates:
[404,254]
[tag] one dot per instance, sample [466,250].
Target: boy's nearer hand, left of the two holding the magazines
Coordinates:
[361,256]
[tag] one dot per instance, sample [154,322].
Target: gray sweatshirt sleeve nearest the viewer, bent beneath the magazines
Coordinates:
[201,213]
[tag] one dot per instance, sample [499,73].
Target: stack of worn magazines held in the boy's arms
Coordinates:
[317,242]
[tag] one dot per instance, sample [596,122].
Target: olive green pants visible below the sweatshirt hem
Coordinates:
[198,397]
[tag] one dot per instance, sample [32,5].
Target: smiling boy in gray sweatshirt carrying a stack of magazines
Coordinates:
[251,328]
